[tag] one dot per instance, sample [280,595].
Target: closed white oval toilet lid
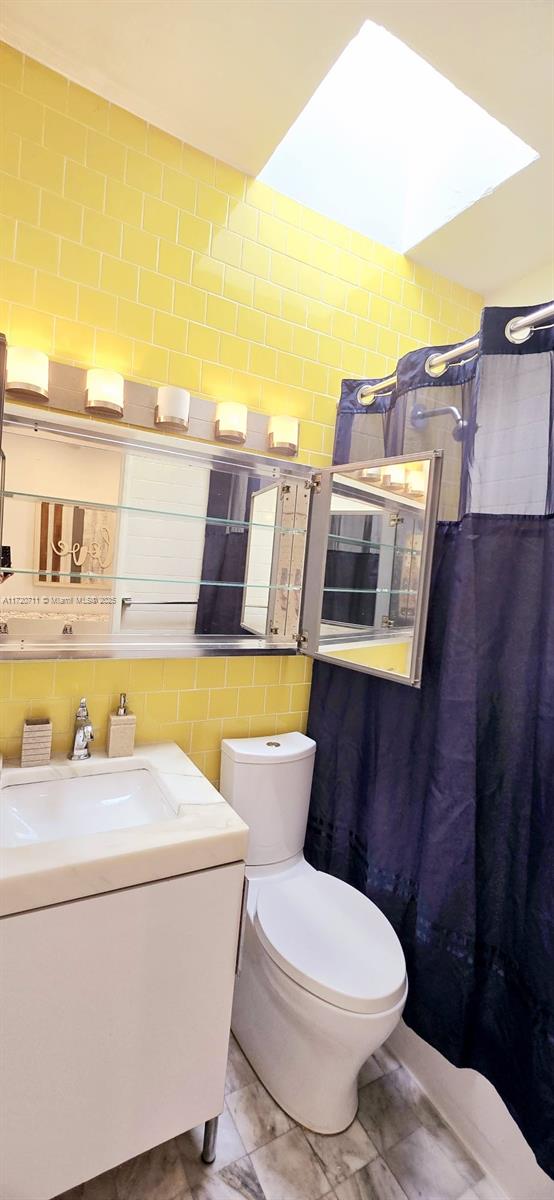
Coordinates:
[333,941]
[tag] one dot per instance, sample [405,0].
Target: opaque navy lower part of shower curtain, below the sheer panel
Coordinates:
[439,806]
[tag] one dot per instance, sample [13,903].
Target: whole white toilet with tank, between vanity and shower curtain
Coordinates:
[322,981]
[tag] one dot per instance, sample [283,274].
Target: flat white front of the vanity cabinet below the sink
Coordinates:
[115,1030]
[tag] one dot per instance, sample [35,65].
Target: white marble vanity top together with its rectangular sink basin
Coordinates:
[75,830]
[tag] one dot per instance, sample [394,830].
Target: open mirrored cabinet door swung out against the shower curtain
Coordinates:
[369,562]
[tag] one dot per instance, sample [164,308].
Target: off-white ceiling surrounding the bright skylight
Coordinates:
[232,76]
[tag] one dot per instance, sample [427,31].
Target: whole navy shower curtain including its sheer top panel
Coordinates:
[439,803]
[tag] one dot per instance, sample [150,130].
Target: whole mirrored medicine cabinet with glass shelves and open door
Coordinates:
[125,543]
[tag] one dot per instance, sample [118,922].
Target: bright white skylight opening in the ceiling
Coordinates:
[392,148]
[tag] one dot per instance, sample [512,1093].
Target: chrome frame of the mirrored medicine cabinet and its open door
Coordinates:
[304,497]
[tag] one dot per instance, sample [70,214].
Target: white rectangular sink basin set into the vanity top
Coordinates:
[71,808]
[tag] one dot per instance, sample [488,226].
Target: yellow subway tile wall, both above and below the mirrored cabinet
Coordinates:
[124,248]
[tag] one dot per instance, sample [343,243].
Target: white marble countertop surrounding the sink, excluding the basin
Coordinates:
[204,833]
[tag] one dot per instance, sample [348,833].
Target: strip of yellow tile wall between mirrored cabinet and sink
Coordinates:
[195,703]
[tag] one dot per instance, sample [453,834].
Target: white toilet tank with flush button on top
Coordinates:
[268,782]
